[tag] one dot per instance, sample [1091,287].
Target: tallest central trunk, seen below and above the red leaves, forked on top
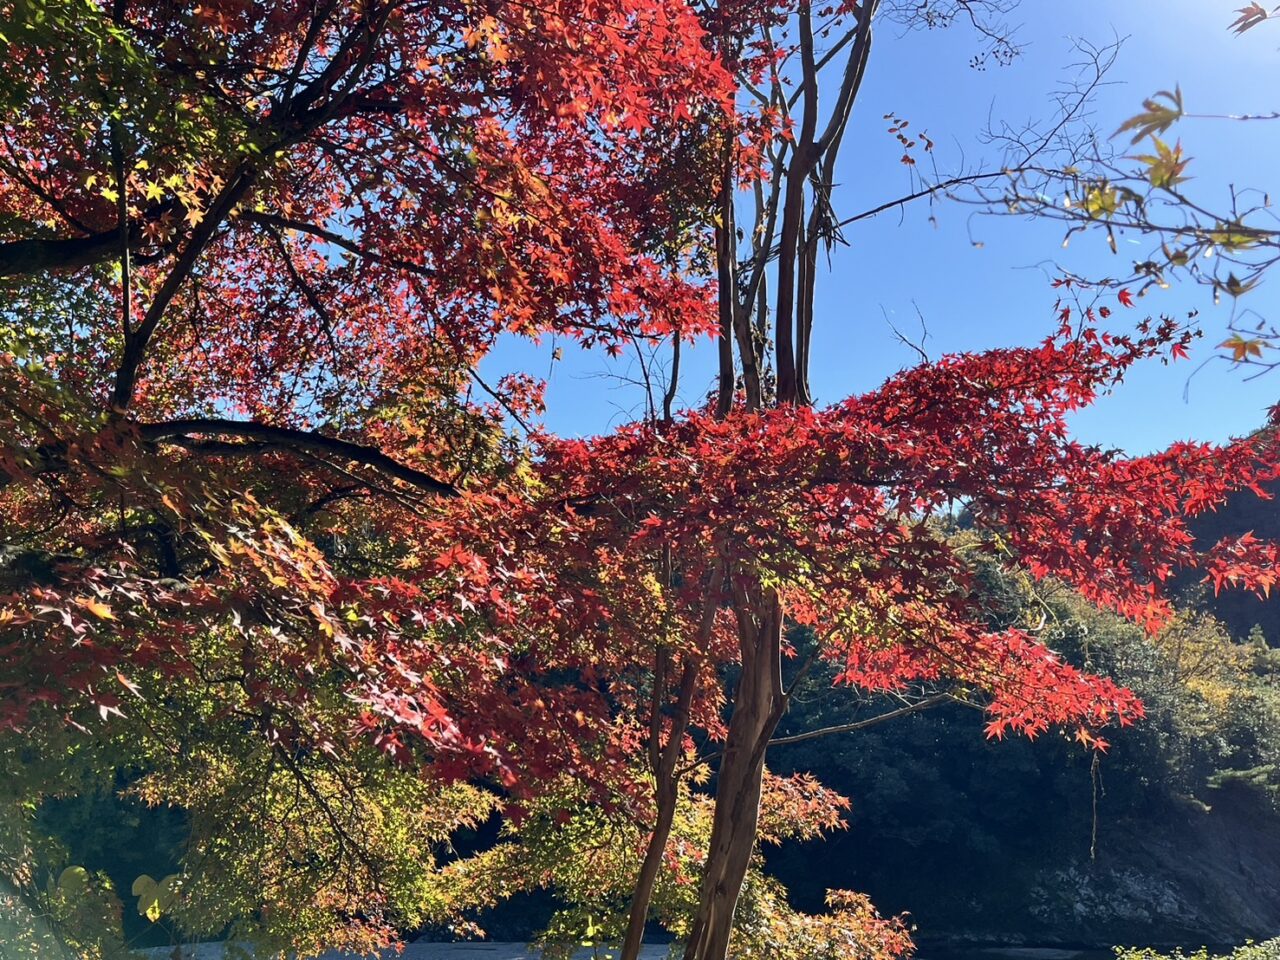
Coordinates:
[761,698]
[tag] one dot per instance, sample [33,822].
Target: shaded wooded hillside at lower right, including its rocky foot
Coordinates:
[996,843]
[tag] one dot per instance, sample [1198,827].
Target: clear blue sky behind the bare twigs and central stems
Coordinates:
[998,294]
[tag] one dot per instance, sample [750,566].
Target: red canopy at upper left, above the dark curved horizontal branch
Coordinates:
[482,168]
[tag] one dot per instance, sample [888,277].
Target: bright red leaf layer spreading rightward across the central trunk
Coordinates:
[838,510]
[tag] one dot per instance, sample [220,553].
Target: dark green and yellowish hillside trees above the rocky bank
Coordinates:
[959,830]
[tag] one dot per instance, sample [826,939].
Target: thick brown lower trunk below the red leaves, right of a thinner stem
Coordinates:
[758,707]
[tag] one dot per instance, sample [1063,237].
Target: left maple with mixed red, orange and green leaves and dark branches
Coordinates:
[252,255]
